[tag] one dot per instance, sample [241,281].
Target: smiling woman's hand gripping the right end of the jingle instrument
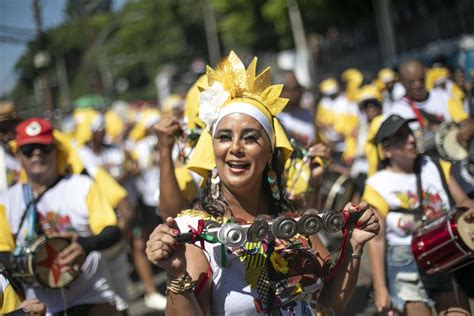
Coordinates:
[366,228]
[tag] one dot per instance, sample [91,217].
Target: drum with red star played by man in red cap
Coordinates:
[36,264]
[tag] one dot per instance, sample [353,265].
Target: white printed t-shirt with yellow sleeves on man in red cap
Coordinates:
[65,207]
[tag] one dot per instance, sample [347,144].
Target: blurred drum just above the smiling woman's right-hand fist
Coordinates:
[337,190]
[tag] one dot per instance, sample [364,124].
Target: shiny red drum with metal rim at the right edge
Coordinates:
[443,244]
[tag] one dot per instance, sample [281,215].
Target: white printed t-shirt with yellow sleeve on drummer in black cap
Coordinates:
[387,190]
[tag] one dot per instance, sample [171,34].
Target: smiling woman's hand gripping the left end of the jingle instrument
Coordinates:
[163,250]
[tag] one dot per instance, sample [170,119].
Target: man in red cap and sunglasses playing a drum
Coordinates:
[63,204]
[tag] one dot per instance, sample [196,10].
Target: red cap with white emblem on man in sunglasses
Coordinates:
[34,131]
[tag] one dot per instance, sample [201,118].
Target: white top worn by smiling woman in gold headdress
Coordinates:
[231,293]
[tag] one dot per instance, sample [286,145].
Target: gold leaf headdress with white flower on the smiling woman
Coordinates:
[230,83]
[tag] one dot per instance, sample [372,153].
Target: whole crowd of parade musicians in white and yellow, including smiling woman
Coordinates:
[119,186]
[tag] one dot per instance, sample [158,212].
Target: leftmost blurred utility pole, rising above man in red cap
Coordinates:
[42,58]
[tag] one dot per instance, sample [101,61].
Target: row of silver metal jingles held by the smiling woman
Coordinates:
[283,227]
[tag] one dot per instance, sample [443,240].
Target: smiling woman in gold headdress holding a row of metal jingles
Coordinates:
[240,154]
